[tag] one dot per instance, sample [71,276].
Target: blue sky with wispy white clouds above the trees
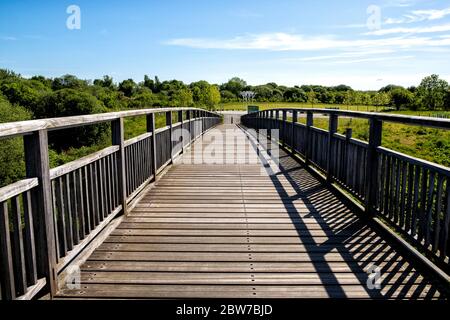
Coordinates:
[285,41]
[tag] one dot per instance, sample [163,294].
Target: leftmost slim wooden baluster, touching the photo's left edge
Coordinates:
[8,290]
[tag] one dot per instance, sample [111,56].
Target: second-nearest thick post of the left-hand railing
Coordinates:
[117,135]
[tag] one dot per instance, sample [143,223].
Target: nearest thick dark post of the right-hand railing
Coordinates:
[375,138]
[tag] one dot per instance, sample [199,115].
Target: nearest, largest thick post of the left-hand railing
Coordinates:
[37,165]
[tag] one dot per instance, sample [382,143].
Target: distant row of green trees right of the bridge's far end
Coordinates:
[432,93]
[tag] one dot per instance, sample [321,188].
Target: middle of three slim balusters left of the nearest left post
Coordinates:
[17,247]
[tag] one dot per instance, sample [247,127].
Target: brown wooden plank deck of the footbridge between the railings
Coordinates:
[238,231]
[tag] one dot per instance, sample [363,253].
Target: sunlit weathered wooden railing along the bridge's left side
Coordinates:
[47,219]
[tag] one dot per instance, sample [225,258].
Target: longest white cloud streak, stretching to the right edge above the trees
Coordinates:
[298,42]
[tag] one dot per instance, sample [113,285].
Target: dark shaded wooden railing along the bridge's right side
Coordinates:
[410,194]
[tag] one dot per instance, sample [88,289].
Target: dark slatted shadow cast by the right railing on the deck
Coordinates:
[358,245]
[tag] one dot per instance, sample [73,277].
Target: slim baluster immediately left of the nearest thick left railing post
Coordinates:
[29,240]
